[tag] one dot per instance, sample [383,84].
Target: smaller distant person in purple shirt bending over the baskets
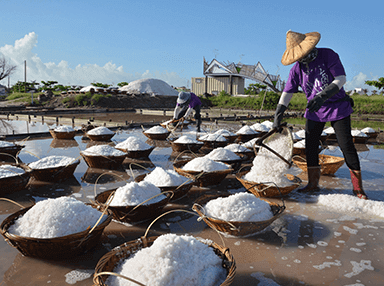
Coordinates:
[186,103]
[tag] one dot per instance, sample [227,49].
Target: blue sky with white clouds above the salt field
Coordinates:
[79,42]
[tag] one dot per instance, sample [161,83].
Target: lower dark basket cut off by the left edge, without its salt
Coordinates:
[15,183]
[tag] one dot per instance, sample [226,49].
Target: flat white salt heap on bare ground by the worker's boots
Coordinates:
[352,204]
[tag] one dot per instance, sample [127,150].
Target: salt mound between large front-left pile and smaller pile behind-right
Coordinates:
[134,193]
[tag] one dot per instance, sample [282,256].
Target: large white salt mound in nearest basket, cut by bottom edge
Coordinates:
[172,260]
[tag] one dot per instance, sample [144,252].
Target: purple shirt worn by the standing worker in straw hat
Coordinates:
[314,78]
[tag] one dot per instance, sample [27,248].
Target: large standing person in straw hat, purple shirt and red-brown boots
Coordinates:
[321,75]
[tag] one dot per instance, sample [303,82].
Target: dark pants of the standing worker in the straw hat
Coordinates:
[342,127]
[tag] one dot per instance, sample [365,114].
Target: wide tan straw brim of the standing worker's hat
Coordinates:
[301,50]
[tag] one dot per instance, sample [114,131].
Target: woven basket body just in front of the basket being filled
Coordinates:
[236,228]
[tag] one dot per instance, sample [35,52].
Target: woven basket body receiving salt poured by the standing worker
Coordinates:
[262,190]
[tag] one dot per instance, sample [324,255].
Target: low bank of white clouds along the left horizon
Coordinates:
[80,75]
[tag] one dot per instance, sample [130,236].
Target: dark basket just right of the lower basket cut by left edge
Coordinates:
[55,173]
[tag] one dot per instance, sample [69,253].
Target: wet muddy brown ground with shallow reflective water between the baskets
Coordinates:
[308,245]
